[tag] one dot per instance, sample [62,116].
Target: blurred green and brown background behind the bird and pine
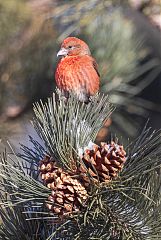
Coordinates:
[124,36]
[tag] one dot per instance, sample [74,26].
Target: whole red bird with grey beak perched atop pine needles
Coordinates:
[77,71]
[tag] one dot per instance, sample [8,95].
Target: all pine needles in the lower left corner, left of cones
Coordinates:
[22,198]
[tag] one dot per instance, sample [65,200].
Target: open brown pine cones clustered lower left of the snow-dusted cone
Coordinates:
[67,193]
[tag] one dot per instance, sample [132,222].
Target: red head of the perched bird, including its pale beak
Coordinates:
[73,46]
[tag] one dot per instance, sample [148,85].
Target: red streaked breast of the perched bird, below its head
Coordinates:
[76,73]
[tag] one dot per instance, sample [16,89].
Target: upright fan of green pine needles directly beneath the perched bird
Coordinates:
[67,126]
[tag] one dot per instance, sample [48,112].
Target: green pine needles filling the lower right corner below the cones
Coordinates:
[129,208]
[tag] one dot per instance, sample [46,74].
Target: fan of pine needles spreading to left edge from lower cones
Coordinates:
[20,186]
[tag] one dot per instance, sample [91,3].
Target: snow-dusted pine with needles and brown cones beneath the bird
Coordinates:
[70,188]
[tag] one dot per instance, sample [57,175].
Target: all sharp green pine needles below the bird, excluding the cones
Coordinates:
[127,208]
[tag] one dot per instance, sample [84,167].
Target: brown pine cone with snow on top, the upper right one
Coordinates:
[102,163]
